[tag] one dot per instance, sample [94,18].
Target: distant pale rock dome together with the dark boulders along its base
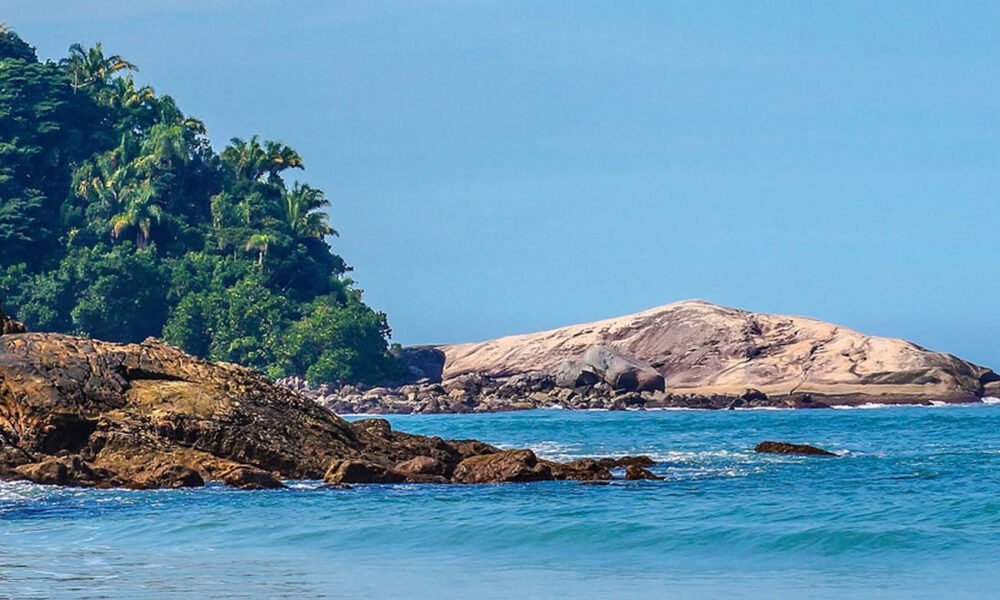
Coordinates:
[685,355]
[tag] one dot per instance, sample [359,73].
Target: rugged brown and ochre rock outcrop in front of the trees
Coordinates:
[75,411]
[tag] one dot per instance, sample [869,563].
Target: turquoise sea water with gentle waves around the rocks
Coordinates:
[911,510]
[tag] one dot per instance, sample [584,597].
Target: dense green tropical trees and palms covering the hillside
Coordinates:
[119,221]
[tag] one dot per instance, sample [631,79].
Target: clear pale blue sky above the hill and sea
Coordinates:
[501,167]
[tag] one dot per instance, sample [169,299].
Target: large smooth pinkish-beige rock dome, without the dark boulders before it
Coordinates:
[702,349]
